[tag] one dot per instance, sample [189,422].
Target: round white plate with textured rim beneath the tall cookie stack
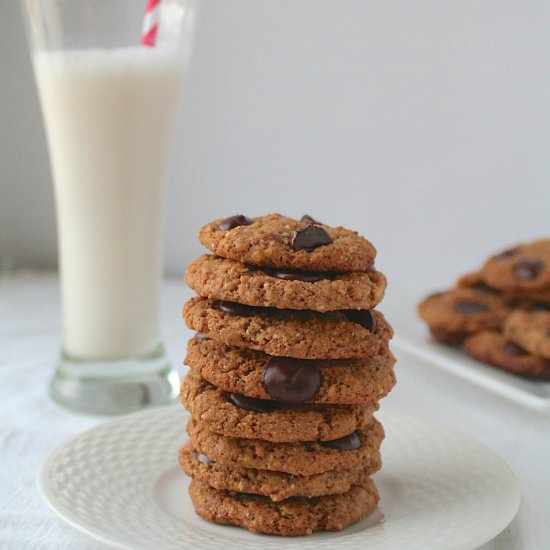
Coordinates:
[120,484]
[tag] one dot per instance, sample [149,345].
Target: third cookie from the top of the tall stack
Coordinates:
[289,333]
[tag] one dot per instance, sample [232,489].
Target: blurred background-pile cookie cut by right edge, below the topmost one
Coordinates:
[530,330]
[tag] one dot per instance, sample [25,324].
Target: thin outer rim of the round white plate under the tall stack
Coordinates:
[97,535]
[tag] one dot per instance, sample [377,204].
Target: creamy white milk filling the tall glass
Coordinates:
[109,117]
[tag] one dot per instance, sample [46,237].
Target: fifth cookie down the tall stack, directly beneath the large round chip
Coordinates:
[235,415]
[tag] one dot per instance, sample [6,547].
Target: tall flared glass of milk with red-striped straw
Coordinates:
[109,100]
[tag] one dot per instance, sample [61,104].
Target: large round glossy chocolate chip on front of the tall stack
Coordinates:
[291,380]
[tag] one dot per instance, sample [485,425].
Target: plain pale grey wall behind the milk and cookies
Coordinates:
[423,124]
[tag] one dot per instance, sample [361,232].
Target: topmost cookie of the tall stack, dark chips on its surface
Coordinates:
[281,242]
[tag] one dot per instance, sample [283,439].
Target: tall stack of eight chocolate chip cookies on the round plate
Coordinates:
[287,367]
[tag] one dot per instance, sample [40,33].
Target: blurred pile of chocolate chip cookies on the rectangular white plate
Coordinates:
[501,313]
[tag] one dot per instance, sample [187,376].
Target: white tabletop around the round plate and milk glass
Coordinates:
[31,425]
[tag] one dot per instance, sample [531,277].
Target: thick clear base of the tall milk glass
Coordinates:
[117,386]
